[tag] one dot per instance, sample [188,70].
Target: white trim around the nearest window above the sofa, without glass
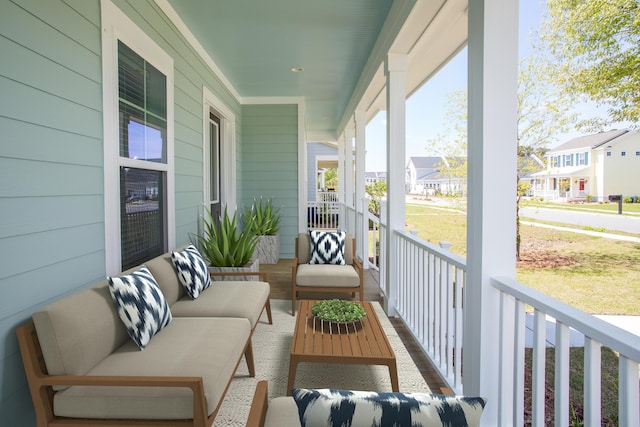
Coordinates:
[117,26]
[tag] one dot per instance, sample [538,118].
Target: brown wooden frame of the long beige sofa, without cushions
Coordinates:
[42,393]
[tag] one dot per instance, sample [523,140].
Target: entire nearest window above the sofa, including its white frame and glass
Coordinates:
[138,143]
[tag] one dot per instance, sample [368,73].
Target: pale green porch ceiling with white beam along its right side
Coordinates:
[341,44]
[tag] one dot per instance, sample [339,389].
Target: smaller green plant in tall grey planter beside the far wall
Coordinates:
[265,223]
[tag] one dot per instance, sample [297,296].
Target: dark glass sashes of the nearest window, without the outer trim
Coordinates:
[142,114]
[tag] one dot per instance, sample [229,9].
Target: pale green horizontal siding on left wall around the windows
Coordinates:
[51,158]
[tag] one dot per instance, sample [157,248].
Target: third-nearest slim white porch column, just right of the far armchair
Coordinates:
[363,241]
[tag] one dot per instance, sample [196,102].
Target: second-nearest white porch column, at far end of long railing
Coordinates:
[396,70]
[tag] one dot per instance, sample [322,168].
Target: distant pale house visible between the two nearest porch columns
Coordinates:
[424,177]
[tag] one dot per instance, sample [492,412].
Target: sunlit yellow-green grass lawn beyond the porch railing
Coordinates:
[603,279]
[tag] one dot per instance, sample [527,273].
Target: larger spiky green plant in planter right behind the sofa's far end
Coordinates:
[225,247]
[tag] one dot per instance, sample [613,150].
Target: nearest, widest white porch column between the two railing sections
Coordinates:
[492,150]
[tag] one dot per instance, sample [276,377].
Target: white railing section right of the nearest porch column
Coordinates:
[597,333]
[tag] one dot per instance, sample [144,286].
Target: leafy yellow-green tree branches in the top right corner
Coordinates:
[595,46]
